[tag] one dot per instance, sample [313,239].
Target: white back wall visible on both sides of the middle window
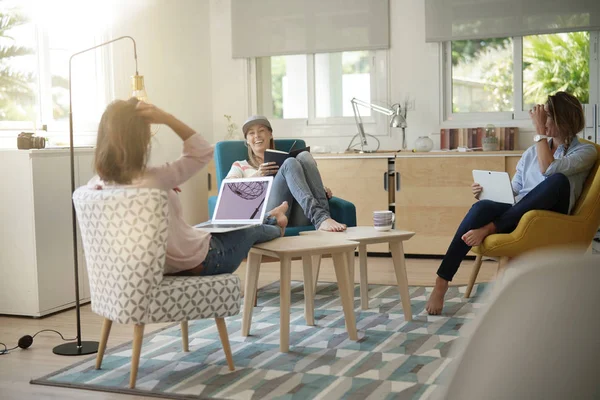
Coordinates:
[414,66]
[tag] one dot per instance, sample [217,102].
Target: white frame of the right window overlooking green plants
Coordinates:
[518,117]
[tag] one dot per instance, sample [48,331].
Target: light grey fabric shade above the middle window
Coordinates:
[280,27]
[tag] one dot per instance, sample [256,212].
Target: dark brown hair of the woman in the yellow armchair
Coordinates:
[567,115]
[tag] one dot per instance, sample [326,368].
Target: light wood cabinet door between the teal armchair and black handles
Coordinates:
[359,180]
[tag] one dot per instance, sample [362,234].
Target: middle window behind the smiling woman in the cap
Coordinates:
[304,91]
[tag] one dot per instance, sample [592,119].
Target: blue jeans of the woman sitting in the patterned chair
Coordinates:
[228,249]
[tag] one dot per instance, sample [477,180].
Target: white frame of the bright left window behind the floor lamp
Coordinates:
[43,87]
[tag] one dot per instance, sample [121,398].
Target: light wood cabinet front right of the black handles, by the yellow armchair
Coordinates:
[434,195]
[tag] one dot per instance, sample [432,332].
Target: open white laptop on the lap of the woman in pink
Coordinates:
[241,204]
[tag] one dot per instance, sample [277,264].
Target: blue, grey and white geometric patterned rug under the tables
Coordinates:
[393,358]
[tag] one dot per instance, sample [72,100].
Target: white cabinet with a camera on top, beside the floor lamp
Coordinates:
[36,243]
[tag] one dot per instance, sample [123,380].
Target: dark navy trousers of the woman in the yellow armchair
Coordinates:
[552,195]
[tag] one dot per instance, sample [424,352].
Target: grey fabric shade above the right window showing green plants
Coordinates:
[481,19]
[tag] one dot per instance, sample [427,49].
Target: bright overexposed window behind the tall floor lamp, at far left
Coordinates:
[34,71]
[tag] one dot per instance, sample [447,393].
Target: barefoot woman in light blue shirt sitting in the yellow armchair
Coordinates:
[550,176]
